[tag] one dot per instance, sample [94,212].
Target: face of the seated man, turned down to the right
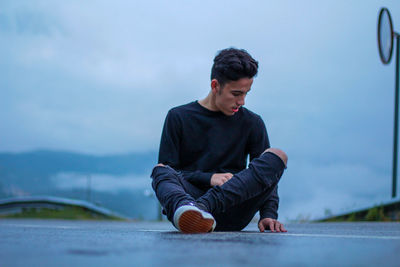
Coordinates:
[230,97]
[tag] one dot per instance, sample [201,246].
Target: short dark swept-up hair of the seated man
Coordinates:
[232,64]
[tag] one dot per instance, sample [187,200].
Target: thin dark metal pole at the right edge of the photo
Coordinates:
[396,118]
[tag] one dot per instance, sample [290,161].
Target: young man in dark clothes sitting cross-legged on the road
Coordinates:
[201,180]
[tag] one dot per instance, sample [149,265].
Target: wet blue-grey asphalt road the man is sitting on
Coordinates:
[86,243]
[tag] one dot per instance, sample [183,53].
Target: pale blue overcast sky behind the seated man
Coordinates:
[99,78]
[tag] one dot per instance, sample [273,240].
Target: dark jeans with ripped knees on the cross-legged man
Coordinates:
[233,204]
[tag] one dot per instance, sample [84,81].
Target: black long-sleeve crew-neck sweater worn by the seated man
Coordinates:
[199,142]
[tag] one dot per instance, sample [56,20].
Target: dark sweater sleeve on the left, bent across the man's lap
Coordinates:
[169,153]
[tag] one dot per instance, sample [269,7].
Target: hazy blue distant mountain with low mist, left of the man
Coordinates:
[33,173]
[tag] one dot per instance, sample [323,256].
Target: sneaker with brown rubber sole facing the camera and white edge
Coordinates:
[190,219]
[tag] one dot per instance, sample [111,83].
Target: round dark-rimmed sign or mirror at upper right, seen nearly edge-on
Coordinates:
[385,35]
